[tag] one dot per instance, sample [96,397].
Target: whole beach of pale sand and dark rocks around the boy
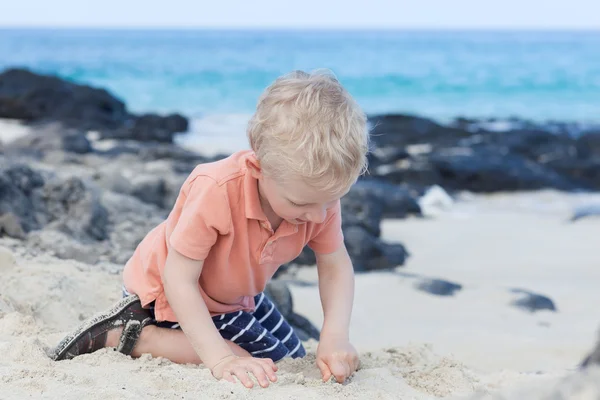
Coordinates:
[474,244]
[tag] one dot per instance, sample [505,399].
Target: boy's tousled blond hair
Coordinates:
[308,126]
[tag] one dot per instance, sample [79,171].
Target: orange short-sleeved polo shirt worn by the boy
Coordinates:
[218,218]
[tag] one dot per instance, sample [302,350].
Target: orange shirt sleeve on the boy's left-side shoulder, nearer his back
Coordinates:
[204,215]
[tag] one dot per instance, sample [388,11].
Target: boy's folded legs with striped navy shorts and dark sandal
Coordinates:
[265,334]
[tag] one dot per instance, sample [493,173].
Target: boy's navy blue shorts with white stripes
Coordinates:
[263,333]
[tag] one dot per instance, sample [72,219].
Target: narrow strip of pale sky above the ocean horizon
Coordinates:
[367,14]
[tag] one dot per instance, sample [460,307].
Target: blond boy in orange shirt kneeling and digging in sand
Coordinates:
[193,288]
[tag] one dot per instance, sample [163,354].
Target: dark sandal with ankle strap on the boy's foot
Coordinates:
[91,335]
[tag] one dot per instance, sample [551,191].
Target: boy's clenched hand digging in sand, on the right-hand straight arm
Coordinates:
[336,358]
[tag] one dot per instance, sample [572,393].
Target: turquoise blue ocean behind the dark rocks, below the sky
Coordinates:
[214,77]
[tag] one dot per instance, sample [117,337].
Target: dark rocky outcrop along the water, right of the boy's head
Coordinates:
[467,155]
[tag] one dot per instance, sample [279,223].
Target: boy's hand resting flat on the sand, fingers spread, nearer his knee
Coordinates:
[262,368]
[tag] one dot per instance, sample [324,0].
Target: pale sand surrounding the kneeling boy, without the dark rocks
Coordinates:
[413,345]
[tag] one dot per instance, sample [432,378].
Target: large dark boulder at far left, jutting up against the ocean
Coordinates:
[32,97]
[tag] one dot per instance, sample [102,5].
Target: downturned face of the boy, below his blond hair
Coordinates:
[294,201]
